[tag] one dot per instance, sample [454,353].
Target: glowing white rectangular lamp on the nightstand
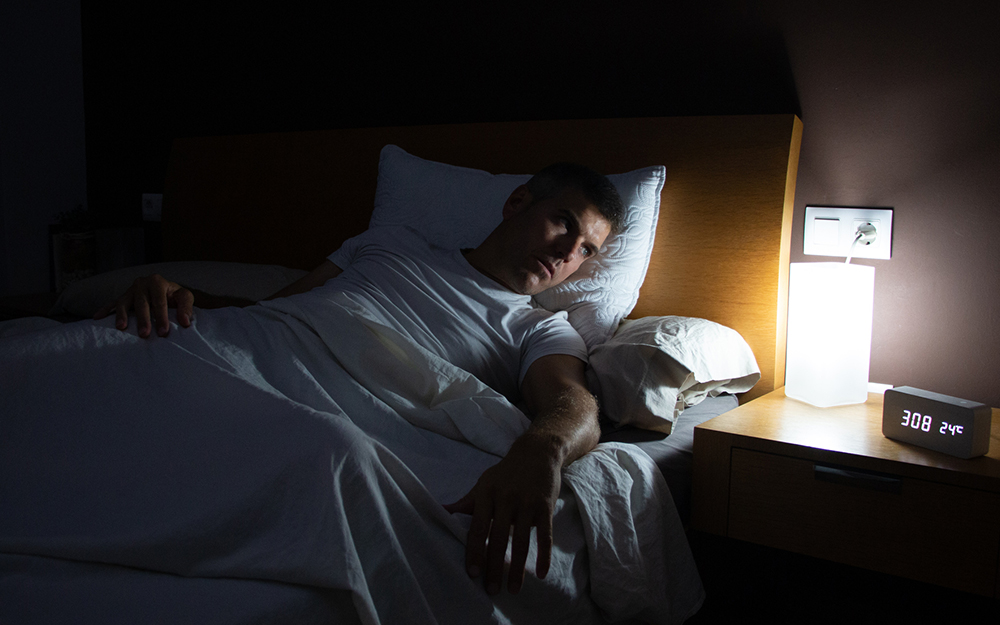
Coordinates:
[829,333]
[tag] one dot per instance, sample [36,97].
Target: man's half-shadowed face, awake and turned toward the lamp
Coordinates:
[548,239]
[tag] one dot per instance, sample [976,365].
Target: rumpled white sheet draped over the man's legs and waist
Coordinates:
[301,442]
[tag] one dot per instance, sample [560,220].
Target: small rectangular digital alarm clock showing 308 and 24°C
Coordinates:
[958,427]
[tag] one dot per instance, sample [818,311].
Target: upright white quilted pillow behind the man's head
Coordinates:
[457,207]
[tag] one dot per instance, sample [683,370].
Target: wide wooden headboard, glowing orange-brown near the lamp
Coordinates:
[722,243]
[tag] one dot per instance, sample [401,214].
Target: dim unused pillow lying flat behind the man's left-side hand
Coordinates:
[248,281]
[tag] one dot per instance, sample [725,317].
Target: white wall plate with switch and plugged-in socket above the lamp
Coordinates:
[830,231]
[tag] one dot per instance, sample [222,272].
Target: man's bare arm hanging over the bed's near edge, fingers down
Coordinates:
[520,491]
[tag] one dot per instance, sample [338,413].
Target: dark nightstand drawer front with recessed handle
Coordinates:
[932,532]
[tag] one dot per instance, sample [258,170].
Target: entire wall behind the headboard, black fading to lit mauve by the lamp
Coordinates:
[899,103]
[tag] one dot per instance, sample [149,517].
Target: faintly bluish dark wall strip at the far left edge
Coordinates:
[42,152]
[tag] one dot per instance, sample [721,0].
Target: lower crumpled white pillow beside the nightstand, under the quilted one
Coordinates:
[655,367]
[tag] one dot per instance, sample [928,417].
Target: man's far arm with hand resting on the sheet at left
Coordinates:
[150,297]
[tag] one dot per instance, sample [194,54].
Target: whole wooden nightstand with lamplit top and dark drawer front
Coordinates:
[824,482]
